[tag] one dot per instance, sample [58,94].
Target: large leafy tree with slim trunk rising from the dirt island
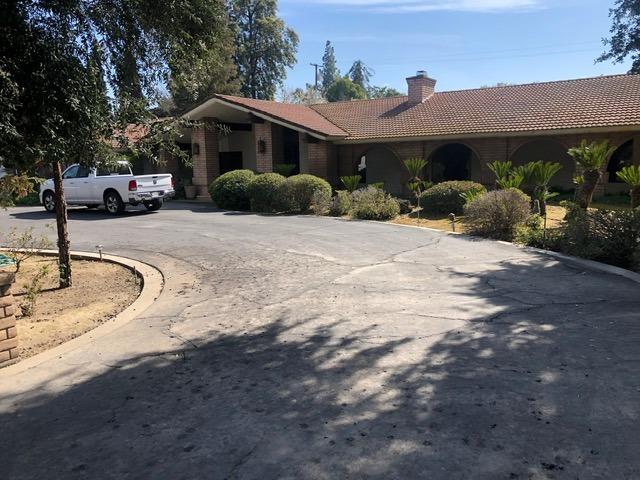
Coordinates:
[59,61]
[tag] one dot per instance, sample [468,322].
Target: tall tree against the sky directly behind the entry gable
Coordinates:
[265,47]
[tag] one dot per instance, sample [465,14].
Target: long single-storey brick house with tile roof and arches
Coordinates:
[459,132]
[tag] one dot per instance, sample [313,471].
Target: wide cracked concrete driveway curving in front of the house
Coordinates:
[317,348]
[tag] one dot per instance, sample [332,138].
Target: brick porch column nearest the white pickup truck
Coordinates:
[206,163]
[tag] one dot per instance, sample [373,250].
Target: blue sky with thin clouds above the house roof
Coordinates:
[461,43]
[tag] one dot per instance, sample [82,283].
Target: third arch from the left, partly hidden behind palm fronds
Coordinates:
[548,150]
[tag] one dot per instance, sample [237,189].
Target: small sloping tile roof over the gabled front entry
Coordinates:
[301,115]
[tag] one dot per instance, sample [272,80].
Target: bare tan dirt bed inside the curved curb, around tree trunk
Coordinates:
[100,291]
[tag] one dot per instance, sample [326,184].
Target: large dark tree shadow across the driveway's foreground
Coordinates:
[548,388]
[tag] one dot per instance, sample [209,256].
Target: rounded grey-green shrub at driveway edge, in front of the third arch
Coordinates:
[497,214]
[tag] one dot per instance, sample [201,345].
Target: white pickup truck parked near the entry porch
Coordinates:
[114,186]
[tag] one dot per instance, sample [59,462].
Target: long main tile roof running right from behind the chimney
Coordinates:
[610,101]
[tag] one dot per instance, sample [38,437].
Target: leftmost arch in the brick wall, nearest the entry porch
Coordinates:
[381,165]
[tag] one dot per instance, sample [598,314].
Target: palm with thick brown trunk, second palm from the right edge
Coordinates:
[591,158]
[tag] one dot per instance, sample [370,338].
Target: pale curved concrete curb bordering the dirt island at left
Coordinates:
[152,285]
